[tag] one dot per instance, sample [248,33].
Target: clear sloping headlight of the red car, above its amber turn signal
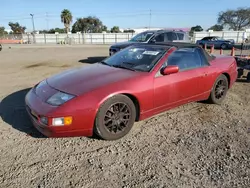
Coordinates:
[59,98]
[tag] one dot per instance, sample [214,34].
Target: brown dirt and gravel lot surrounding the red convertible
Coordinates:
[196,145]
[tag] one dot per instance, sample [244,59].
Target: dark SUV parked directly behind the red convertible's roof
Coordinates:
[152,36]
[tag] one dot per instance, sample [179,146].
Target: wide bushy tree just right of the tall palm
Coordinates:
[89,24]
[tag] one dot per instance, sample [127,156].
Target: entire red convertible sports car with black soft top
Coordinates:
[135,83]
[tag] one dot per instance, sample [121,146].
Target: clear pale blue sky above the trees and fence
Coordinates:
[124,13]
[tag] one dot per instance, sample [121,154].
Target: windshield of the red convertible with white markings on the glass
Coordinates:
[136,58]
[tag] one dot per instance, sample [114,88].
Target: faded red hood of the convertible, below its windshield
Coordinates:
[81,80]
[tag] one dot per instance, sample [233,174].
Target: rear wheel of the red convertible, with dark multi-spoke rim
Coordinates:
[219,90]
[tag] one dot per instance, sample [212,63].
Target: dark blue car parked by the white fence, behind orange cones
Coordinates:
[218,42]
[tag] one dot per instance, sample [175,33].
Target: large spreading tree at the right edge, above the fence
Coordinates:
[235,19]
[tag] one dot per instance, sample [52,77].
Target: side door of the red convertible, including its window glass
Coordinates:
[181,87]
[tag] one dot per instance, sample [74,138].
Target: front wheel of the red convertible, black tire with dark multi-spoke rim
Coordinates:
[118,124]
